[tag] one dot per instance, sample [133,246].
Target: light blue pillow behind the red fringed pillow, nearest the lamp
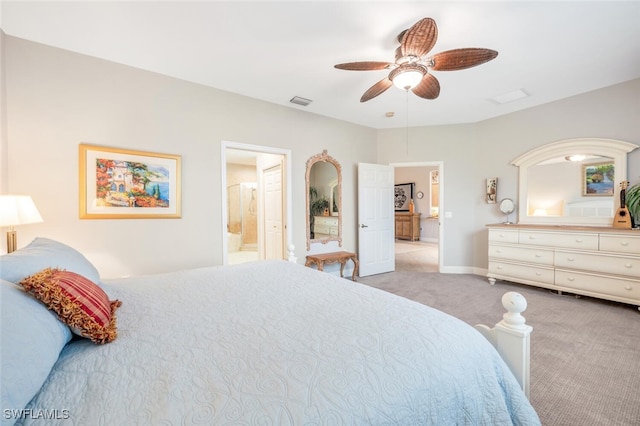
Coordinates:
[44,253]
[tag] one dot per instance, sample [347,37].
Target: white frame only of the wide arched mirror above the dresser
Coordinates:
[615,149]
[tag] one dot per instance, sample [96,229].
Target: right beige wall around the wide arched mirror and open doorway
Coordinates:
[473,152]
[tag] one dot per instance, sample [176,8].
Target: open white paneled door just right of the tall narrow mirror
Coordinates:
[376,219]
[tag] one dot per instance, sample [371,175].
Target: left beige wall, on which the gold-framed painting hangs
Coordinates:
[57,99]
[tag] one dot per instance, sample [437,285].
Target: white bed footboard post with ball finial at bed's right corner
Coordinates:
[512,338]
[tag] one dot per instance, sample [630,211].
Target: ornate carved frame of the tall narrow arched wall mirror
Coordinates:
[326,158]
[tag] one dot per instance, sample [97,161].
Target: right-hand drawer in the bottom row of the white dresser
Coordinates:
[626,289]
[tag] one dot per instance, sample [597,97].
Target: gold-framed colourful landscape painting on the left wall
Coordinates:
[126,184]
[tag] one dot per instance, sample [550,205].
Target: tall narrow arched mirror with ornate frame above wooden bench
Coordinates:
[324,199]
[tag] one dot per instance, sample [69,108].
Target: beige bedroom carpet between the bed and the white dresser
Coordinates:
[585,353]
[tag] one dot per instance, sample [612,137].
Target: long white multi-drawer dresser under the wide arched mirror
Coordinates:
[601,262]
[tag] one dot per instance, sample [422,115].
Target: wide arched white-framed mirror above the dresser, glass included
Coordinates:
[572,182]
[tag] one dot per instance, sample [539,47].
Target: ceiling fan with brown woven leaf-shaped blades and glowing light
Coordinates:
[412,69]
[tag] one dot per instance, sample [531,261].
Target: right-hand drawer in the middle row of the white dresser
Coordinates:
[618,265]
